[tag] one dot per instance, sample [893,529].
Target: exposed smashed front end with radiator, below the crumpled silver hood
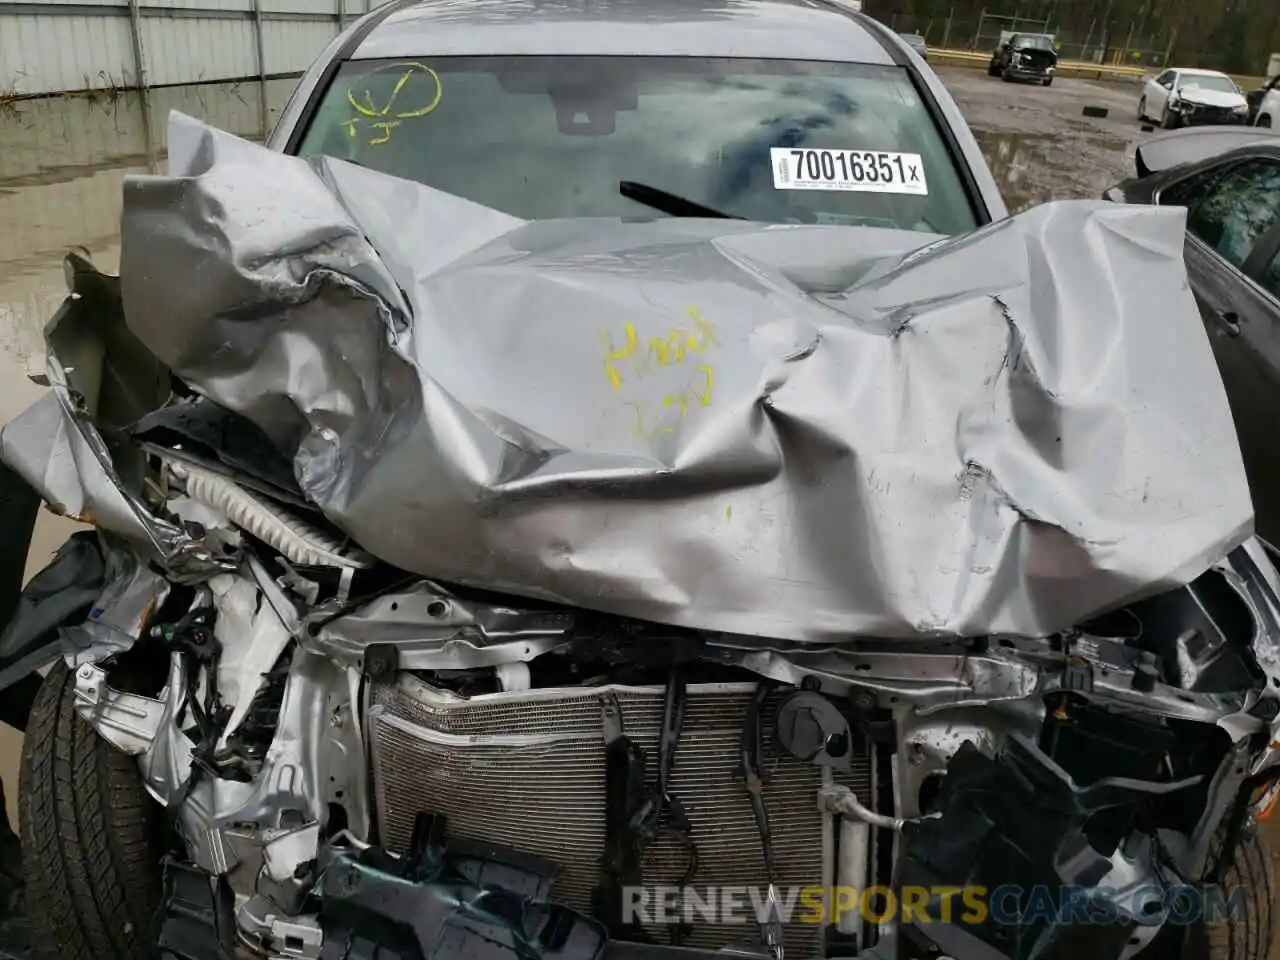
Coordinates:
[684,792]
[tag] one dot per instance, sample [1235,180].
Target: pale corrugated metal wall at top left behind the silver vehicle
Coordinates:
[49,47]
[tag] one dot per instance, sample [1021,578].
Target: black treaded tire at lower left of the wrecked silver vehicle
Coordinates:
[92,836]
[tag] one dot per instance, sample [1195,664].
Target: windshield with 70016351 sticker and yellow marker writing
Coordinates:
[543,138]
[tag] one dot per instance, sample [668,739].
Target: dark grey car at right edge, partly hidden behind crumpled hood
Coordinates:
[1229,181]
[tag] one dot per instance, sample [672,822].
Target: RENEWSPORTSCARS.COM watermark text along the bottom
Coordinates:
[1005,906]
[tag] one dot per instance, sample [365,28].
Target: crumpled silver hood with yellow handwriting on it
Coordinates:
[682,422]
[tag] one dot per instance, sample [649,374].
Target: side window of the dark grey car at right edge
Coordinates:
[1231,211]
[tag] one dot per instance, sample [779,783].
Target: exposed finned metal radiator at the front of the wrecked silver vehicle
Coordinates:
[527,771]
